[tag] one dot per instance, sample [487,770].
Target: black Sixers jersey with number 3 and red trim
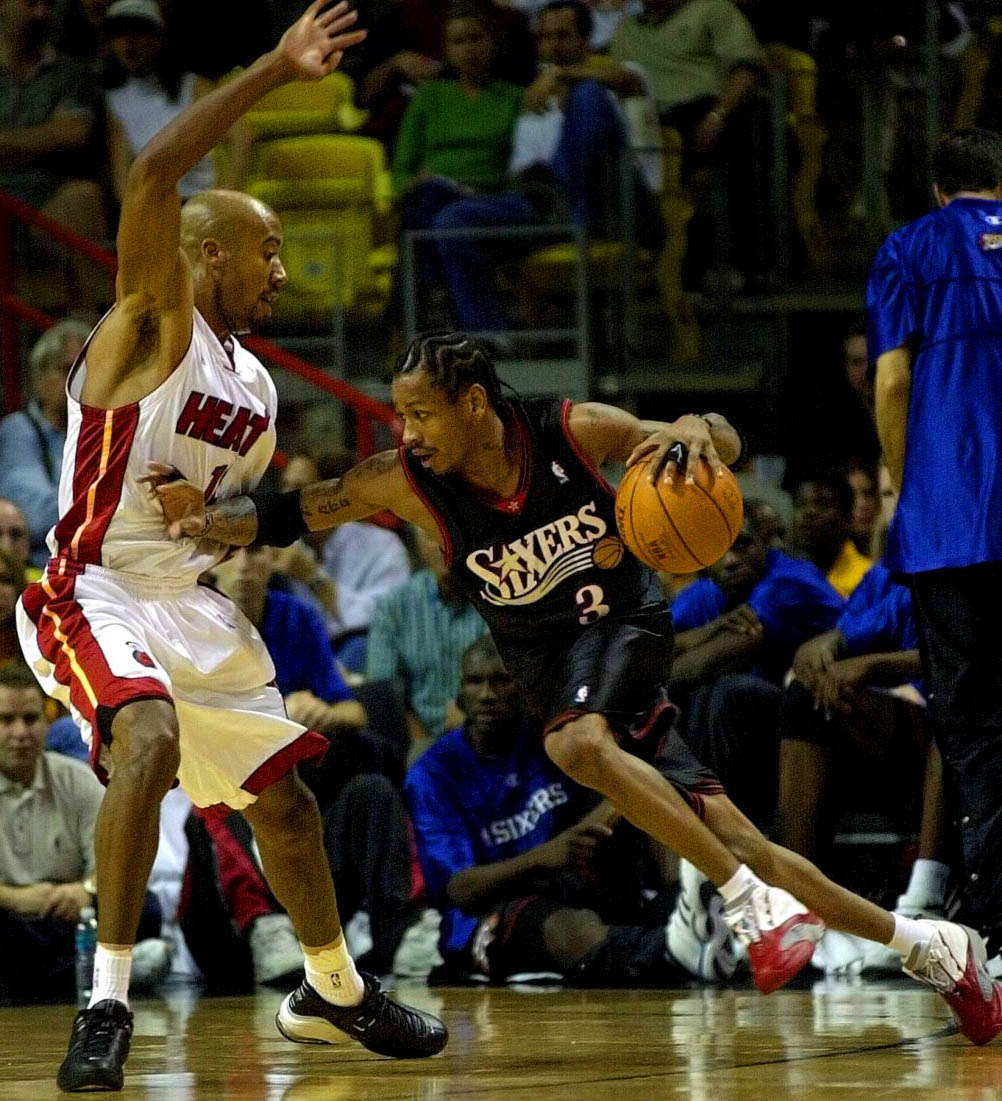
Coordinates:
[546,564]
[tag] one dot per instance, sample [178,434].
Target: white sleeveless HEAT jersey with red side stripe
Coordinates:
[213,420]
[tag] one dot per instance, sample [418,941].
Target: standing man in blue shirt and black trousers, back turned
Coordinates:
[935,312]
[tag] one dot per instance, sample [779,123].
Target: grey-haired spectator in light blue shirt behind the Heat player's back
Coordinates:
[31,441]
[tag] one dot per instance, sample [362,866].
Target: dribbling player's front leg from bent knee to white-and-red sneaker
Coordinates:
[780,932]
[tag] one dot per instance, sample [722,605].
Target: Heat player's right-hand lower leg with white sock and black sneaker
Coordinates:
[336,1002]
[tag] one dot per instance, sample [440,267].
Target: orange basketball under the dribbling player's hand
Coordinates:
[679,529]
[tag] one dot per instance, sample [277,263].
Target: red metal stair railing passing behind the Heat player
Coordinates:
[367,411]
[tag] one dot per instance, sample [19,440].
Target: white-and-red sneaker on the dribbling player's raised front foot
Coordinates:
[780,933]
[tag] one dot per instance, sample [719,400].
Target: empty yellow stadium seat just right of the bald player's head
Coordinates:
[329,191]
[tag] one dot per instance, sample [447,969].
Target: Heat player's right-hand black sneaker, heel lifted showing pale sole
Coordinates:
[378,1023]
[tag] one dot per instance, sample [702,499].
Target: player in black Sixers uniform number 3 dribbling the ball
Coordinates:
[514,494]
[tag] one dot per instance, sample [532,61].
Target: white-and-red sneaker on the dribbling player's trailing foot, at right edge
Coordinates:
[953,963]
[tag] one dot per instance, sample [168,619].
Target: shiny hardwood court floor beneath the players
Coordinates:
[832,1042]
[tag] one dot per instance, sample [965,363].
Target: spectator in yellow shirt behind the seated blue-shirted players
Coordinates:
[823,506]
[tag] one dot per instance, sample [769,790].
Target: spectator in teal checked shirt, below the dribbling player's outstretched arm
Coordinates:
[418,637]
